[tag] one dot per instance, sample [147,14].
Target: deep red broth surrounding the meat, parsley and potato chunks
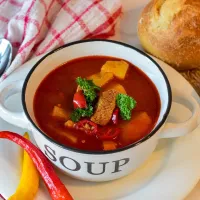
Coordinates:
[58,89]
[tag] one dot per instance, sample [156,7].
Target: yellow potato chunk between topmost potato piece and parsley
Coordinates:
[101,79]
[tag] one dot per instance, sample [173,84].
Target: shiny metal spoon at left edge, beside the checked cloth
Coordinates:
[5,55]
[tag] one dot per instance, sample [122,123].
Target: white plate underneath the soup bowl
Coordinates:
[169,174]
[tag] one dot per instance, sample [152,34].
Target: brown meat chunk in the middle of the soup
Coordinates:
[105,107]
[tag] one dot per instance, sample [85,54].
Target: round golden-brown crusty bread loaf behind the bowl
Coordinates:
[170,30]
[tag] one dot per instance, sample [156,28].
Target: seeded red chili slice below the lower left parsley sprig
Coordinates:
[89,127]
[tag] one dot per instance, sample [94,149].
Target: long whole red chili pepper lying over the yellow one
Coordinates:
[56,188]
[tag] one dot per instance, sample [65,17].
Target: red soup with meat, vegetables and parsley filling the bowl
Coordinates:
[111,105]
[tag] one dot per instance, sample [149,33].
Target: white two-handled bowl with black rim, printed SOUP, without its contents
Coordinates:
[90,165]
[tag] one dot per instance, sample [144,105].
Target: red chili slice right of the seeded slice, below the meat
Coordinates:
[107,133]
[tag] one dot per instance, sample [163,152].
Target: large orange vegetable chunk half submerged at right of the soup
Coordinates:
[137,127]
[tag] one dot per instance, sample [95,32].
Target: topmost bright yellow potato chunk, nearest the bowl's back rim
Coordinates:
[118,68]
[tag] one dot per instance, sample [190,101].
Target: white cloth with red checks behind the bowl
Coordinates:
[38,26]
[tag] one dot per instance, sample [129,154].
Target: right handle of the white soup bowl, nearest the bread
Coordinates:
[172,130]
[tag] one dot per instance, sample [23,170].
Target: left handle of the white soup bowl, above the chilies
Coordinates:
[16,118]
